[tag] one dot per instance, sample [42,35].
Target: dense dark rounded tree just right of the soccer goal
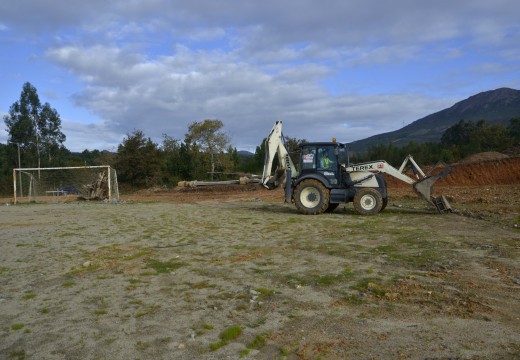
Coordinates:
[138,161]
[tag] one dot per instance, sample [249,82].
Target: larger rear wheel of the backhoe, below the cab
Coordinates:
[311,197]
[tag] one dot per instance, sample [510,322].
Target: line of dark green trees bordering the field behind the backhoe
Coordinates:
[35,139]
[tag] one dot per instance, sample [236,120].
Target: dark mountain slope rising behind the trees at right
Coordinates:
[494,106]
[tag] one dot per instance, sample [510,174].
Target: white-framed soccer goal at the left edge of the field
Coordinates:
[60,184]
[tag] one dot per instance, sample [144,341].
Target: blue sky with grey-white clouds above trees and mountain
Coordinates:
[347,69]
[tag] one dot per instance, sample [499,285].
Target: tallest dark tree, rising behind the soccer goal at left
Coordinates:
[33,125]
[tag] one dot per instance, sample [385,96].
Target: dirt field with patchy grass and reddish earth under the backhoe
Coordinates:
[235,273]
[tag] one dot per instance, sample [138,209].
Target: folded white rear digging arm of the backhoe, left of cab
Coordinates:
[275,148]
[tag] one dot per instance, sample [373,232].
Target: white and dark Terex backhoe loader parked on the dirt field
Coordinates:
[326,178]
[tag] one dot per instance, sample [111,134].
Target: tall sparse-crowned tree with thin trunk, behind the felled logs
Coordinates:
[209,138]
